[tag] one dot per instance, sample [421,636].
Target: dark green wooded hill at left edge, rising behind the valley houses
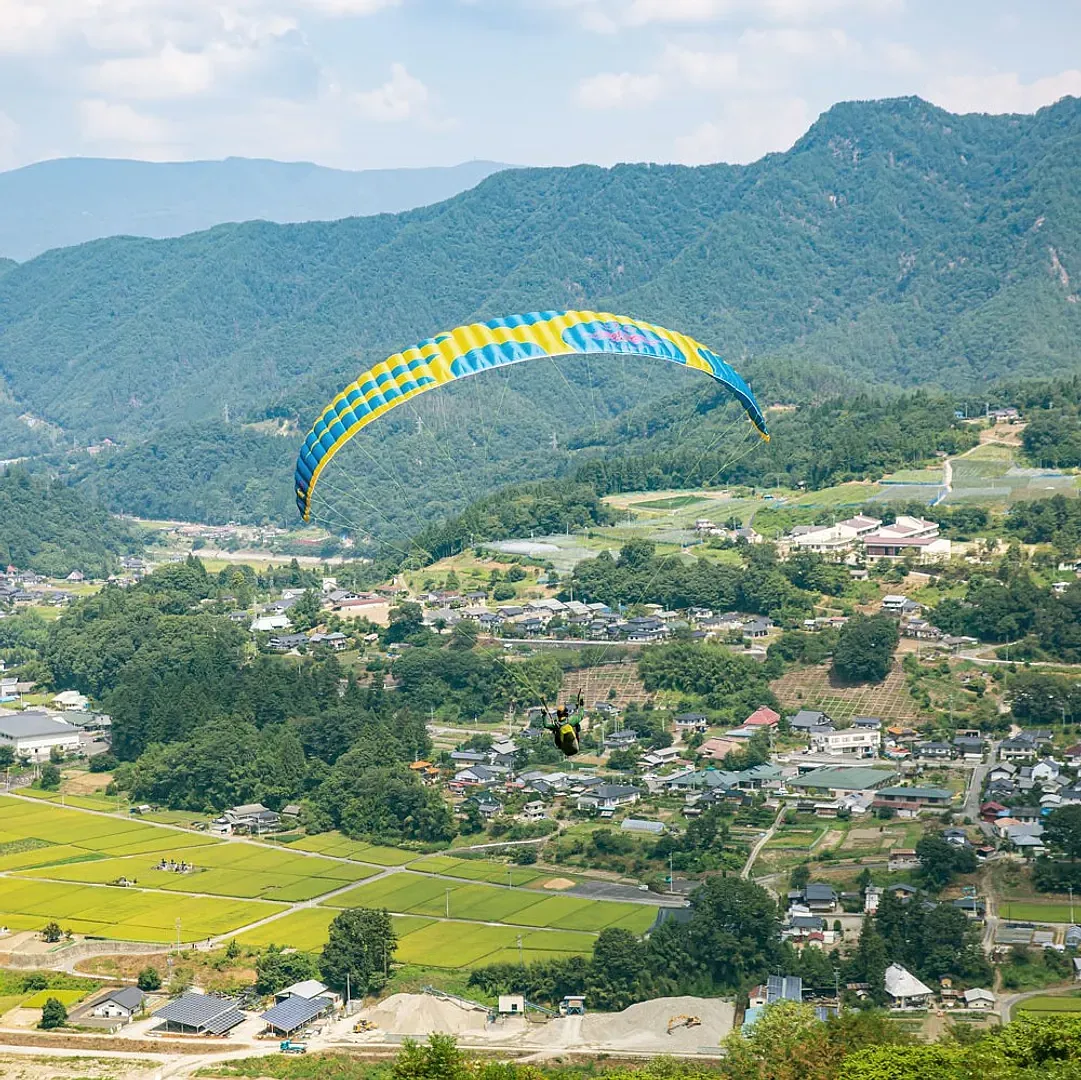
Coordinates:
[47,527]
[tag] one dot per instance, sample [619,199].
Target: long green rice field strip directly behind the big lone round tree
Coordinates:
[417,895]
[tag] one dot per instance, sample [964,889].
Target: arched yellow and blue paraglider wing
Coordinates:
[483,345]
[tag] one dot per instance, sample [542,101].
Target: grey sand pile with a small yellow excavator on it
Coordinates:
[645,1026]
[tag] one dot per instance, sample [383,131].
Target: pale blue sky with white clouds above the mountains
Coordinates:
[388,84]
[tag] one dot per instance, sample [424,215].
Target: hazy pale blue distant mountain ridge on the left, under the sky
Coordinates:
[72,201]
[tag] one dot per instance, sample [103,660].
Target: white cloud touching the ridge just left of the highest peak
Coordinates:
[745,130]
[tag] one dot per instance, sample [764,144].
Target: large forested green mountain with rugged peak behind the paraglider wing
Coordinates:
[895,245]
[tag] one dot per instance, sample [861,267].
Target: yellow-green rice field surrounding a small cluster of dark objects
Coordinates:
[230,870]
